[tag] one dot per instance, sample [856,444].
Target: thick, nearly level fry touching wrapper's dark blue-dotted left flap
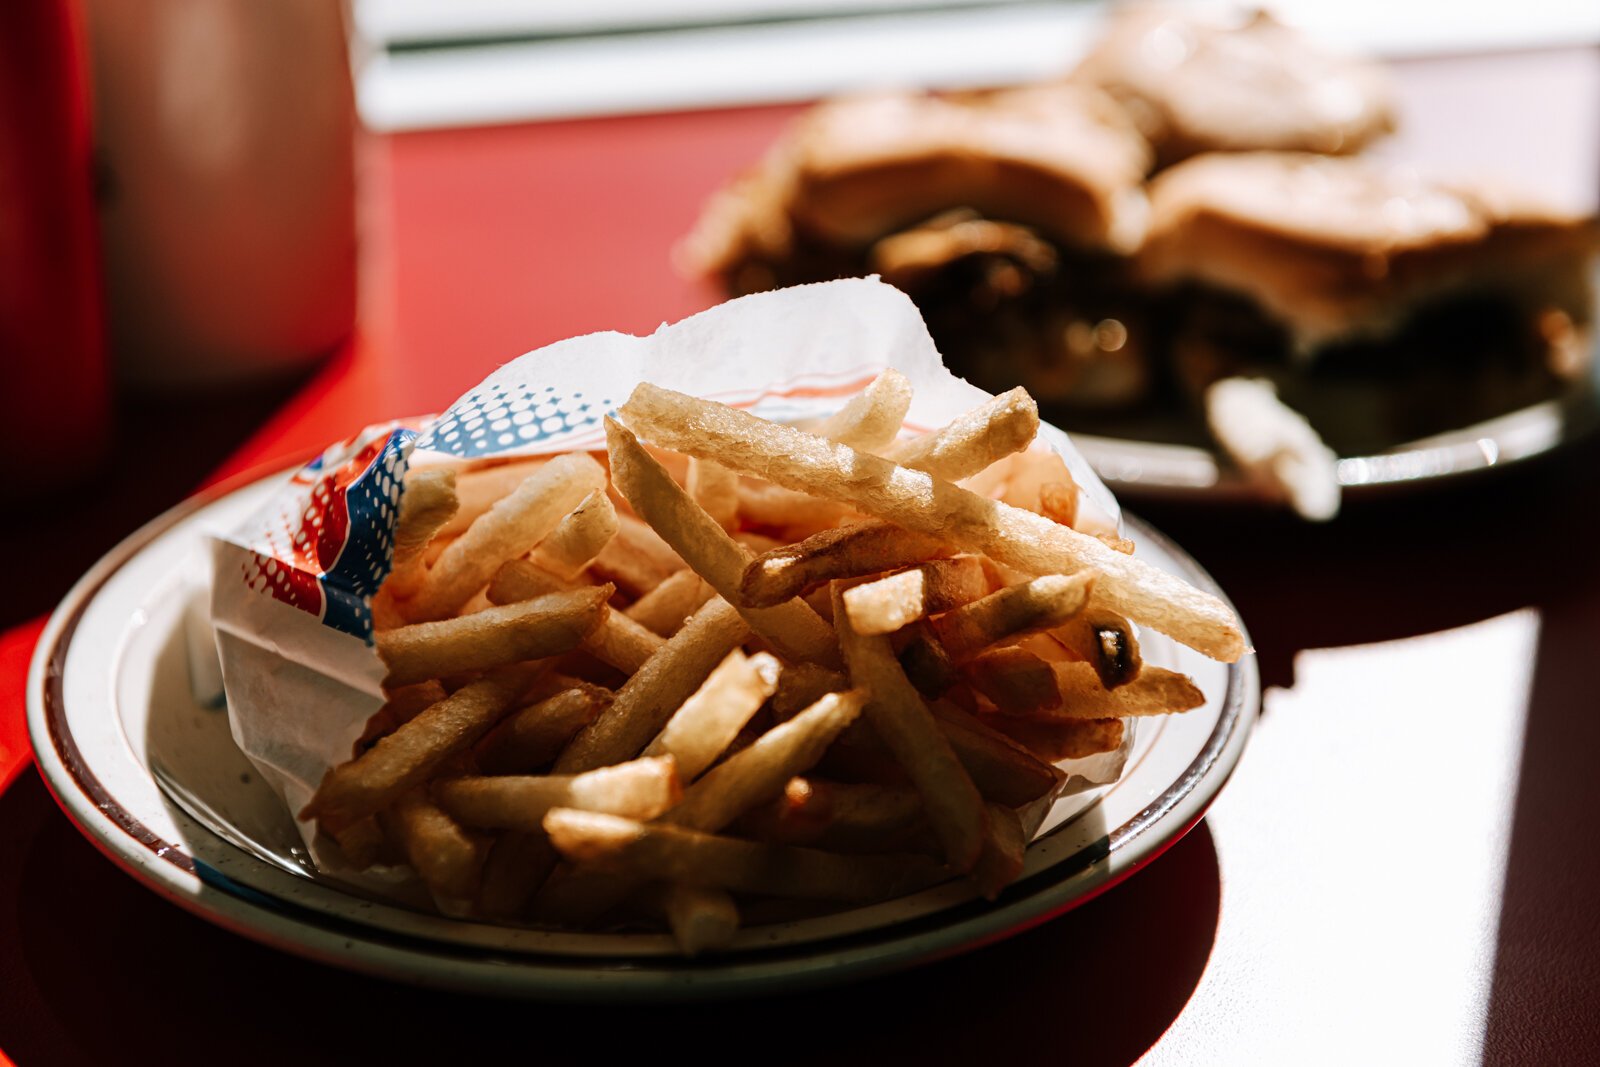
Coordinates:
[532,629]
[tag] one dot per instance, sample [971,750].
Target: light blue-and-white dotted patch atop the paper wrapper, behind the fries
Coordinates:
[506,418]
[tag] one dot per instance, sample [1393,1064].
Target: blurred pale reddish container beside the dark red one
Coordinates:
[228,207]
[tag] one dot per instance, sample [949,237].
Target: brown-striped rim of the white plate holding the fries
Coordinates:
[300,930]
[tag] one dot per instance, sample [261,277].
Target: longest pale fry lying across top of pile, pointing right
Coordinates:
[1017,538]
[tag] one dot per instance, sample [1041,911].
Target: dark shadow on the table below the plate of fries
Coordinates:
[100,969]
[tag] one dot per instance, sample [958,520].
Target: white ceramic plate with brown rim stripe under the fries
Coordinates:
[154,780]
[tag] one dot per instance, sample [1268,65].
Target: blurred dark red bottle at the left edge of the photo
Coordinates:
[54,380]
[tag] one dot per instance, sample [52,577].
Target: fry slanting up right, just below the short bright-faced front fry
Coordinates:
[759,772]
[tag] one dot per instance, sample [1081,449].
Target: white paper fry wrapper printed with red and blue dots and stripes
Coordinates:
[292,588]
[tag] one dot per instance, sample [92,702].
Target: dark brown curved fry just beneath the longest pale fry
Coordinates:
[842,553]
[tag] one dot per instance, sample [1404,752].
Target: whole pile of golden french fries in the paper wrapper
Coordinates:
[734,671]
